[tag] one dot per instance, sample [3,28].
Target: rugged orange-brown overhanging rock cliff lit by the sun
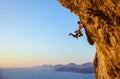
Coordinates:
[101,20]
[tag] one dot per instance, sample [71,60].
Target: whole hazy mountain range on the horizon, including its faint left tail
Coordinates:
[71,67]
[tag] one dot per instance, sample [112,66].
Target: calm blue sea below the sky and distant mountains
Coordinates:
[31,73]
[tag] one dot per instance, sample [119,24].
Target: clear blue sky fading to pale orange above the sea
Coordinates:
[35,32]
